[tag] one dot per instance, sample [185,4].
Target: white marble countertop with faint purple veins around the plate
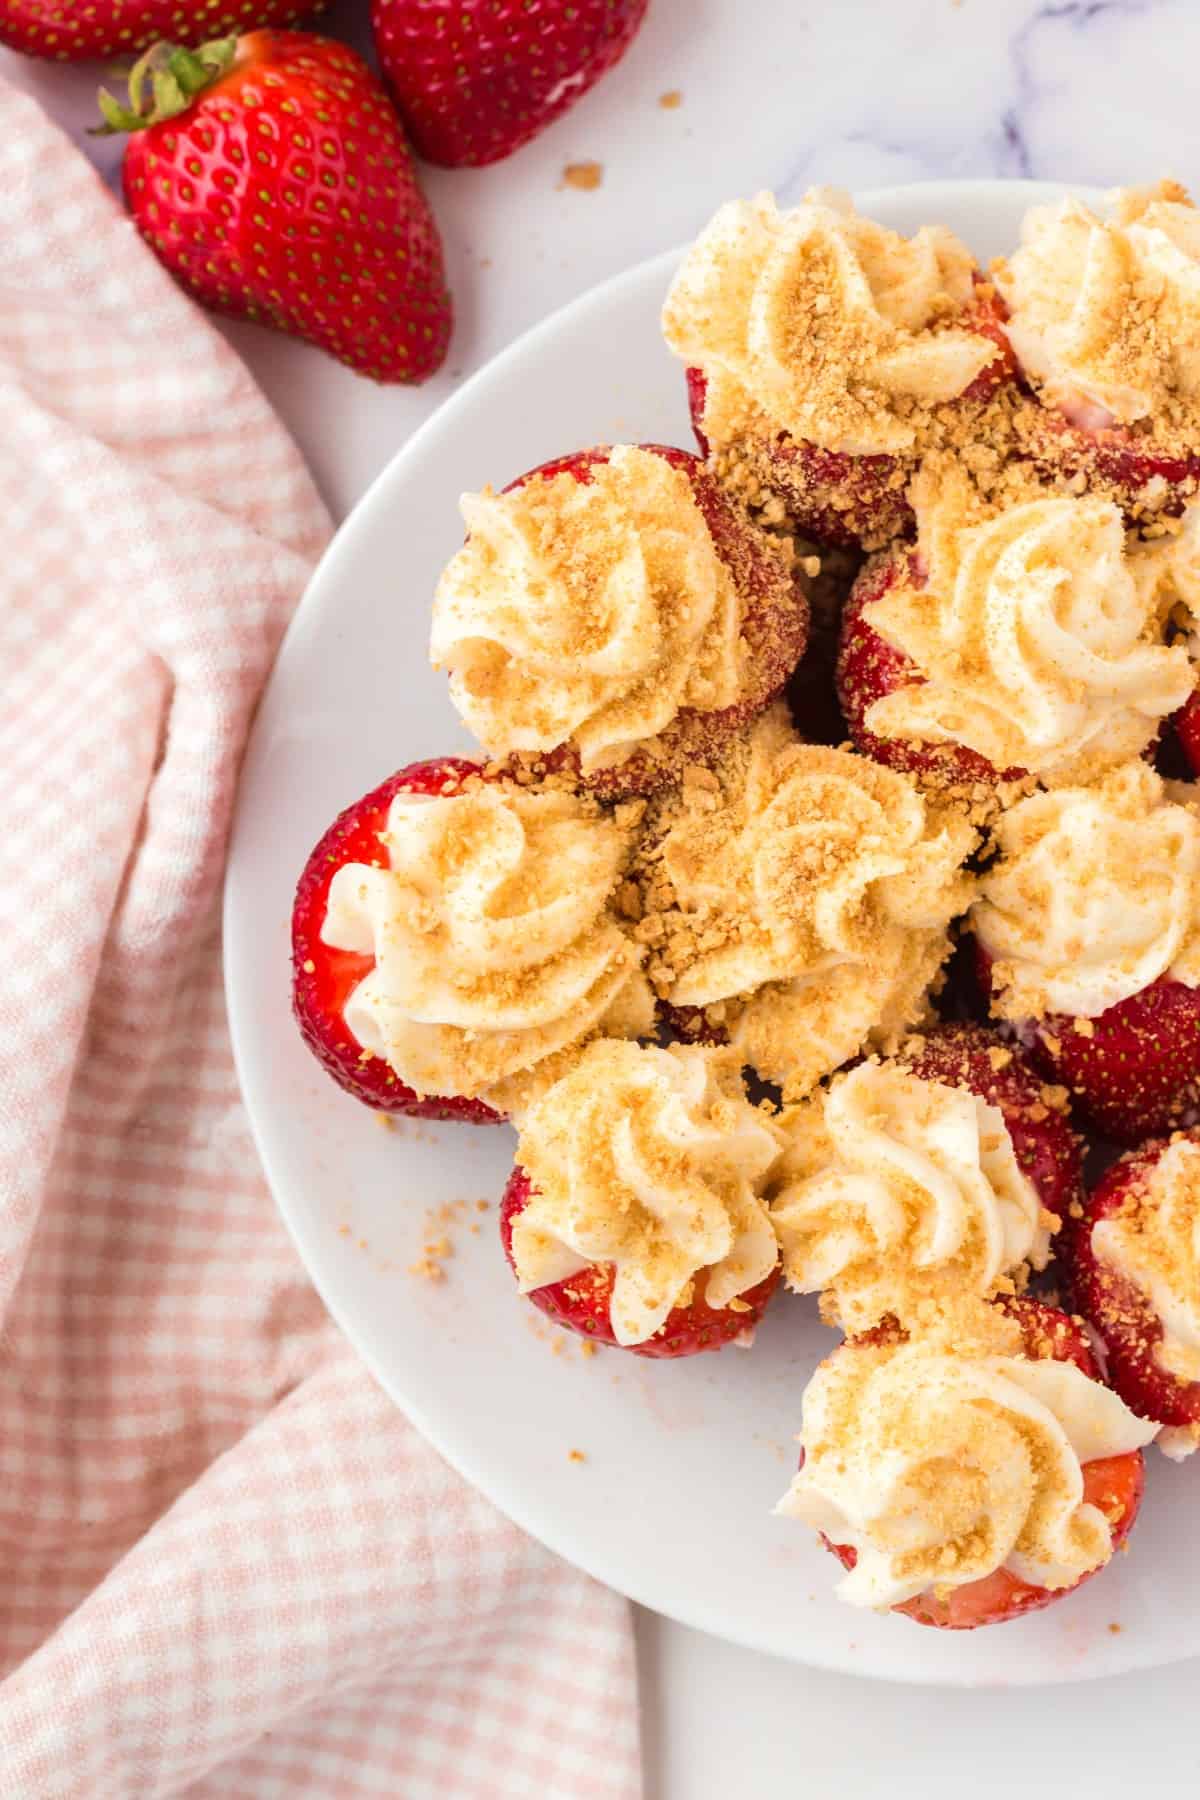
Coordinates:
[782,94]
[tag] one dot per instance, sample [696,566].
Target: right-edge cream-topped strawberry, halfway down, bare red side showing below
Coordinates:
[1088,926]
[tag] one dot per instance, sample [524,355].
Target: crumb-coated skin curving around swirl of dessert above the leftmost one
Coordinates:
[775,627]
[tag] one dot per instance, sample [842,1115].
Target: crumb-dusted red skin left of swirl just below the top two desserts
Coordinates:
[870,669]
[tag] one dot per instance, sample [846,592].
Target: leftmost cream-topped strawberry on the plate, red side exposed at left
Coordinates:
[456,933]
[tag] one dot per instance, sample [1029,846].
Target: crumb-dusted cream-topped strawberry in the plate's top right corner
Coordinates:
[1104,316]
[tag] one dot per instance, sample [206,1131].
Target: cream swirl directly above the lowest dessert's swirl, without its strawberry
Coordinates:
[897,1192]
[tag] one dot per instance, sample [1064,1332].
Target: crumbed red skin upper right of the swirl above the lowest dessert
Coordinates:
[1048,1149]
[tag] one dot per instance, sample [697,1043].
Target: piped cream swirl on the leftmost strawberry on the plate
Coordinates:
[492,933]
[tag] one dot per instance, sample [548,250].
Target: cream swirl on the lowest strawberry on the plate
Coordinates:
[942,1468]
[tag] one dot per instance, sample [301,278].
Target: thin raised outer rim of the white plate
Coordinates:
[506,1498]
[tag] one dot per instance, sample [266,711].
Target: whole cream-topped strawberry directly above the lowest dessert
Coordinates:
[915,1182]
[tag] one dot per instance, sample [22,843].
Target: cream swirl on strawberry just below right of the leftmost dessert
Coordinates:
[654,1162]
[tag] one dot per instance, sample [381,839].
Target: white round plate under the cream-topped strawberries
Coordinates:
[685,1462]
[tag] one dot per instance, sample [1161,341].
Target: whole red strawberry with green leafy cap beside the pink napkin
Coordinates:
[276,183]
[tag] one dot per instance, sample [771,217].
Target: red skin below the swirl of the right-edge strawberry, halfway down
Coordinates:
[1134,1072]
